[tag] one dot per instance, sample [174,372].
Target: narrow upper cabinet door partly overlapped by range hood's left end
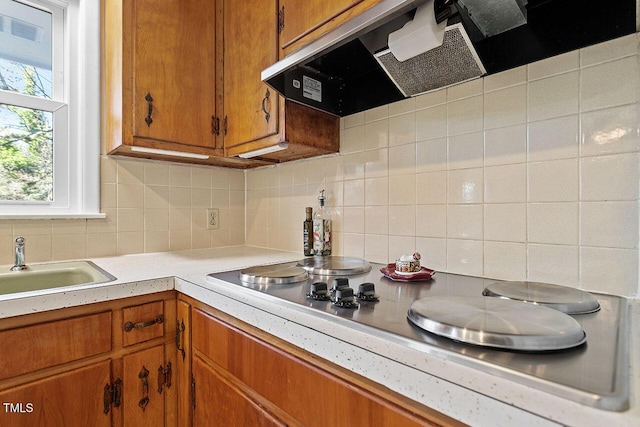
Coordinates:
[250,45]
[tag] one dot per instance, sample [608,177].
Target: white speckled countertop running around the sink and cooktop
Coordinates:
[464,393]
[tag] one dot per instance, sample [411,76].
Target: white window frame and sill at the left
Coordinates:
[76,116]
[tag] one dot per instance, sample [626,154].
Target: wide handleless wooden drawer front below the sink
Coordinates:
[43,345]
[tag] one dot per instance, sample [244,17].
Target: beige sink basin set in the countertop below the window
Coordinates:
[52,275]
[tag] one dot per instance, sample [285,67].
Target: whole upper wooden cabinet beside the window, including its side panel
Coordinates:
[161,79]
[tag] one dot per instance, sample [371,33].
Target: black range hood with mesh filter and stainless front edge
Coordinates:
[352,68]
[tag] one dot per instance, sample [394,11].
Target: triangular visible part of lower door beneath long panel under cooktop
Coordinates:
[219,403]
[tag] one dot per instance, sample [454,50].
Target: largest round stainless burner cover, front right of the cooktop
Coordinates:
[497,323]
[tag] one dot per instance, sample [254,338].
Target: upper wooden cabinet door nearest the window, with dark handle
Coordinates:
[174,70]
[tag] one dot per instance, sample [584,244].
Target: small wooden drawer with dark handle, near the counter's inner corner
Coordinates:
[142,322]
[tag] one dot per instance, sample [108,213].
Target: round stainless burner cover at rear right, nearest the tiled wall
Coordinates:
[562,298]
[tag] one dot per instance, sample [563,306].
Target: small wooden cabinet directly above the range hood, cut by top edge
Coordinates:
[303,22]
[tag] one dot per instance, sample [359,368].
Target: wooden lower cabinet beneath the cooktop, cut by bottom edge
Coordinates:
[240,373]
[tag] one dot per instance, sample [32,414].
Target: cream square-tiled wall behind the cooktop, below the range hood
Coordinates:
[532,173]
